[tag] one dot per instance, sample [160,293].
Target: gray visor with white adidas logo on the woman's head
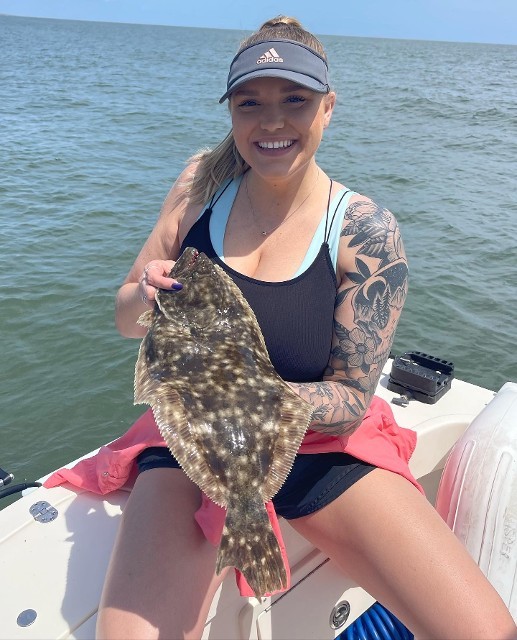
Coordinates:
[279,59]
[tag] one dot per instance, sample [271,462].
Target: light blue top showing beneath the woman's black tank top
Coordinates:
[223,206]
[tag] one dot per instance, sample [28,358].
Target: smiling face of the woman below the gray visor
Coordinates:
[278,125]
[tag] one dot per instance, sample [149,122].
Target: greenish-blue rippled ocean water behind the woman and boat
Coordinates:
[96,121]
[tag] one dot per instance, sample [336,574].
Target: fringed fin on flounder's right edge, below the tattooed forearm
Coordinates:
[295,417]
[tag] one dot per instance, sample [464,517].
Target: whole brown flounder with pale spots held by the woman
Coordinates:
[228,418]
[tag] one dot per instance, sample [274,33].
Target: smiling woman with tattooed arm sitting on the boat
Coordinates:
[325,272]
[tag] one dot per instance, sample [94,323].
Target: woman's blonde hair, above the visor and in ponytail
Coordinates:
[214,166]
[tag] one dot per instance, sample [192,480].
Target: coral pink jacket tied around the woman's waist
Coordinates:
[378,441]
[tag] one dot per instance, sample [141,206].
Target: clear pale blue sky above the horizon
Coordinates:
[493,21]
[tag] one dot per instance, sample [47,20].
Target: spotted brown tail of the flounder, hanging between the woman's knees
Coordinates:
[250,545]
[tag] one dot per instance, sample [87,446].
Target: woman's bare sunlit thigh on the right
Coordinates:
[386,536]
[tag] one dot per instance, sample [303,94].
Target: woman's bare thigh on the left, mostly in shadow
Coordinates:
[160,580]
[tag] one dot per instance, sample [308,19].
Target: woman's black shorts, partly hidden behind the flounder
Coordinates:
[315,480]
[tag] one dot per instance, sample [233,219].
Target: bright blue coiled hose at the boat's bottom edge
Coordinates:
[376,624]
